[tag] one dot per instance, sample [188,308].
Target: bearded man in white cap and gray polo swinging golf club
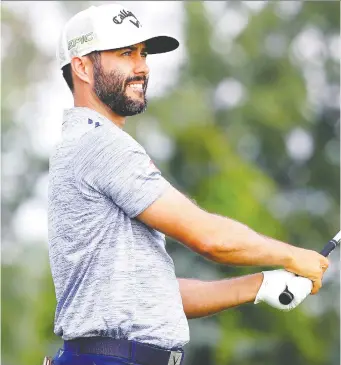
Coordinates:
[118,299]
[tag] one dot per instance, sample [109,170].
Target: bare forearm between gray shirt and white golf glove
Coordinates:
[205,298]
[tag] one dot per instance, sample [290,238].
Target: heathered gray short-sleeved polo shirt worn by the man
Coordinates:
[112,274]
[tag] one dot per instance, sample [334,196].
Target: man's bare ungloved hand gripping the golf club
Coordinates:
[309,264]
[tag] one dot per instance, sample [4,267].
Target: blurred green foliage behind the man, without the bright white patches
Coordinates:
[233,160]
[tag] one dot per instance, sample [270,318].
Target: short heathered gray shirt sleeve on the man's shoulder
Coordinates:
[112,163]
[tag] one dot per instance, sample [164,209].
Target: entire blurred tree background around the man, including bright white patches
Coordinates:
[244,118]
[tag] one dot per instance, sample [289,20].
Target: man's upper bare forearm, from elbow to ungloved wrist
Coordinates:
[235,243]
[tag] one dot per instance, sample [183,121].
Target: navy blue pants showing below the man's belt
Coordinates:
[64,357]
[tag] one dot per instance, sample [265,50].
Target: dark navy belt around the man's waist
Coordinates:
[138,352]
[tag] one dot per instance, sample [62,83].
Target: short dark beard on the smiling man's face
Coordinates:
[111,87]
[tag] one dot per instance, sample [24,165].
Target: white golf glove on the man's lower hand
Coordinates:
[276,281]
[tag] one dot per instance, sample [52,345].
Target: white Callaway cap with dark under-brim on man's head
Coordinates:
[106,27]
